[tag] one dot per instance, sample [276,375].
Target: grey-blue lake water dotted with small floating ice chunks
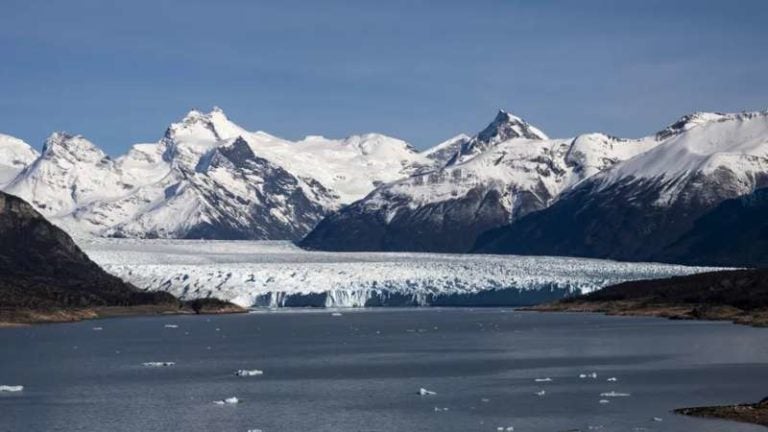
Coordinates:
[362,371]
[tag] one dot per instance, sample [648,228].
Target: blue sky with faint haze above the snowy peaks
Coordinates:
[119,72]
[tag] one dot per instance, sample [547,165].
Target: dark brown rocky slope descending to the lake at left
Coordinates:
[47,278]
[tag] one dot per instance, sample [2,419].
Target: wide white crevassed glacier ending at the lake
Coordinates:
[268,273]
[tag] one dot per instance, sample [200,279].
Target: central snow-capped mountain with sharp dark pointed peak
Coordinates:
[506,171]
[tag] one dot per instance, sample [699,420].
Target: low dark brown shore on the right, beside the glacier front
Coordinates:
[740,296]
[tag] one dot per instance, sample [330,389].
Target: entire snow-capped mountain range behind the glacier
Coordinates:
[686,193]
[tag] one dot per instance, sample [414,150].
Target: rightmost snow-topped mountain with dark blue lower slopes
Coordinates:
[640,208]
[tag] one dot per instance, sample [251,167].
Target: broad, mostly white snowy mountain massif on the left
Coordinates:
[207,177]
